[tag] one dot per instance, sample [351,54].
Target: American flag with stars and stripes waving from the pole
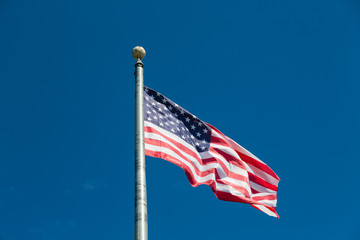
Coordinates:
[207,155]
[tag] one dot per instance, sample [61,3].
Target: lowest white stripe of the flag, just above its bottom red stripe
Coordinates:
[198,179]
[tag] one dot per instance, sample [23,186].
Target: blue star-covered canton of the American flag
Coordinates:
[166,114]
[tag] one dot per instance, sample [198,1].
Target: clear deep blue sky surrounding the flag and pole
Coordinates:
[279,77]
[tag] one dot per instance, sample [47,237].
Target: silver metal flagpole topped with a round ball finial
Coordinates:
[141,225]
